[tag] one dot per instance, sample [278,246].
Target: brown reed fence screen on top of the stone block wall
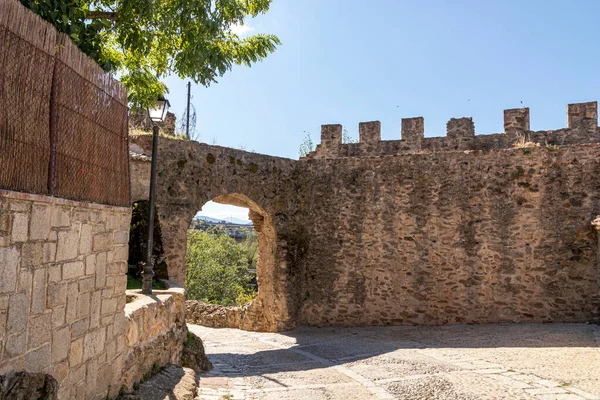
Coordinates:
[63,120]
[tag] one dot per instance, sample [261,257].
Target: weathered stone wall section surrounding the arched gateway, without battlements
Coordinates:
[189,175]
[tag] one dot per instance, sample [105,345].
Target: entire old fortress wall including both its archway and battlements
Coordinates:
[458,229]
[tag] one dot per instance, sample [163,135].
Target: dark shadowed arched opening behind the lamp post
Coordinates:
[138,244]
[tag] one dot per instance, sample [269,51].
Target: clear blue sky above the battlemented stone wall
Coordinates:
[347,61]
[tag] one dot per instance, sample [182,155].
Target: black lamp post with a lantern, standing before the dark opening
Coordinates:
[156,114]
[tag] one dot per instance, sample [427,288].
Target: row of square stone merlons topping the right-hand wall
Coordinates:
[582,127]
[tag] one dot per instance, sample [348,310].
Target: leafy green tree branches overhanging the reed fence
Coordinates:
[143,41]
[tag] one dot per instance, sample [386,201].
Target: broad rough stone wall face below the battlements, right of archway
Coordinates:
[452,237]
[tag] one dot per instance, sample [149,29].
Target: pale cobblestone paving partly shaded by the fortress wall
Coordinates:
[547,362]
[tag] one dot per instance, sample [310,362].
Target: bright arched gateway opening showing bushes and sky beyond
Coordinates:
[222,255]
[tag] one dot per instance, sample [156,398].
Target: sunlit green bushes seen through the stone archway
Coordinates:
[220,270]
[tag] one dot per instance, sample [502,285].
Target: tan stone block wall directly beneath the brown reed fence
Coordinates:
[62,291]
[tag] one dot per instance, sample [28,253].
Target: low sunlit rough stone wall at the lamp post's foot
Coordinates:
[155,332]
